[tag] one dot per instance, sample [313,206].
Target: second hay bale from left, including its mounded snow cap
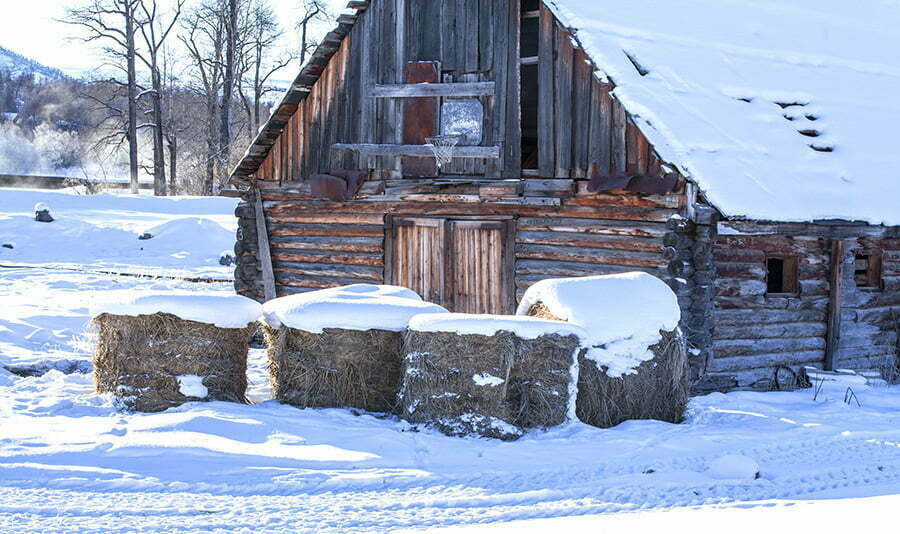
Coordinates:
[340,347]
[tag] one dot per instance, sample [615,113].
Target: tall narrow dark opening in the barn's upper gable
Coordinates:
[529,52]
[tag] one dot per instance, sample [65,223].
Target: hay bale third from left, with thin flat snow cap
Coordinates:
[490,376]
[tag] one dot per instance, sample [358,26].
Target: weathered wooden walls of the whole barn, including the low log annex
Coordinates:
[557,187]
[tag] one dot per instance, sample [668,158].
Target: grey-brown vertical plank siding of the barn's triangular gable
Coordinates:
[584,127]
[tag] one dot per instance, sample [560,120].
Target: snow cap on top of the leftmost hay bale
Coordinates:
[223,311]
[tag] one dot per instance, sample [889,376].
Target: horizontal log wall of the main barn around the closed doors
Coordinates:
[317,244]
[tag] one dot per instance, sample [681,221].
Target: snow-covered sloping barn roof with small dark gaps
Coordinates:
[725,77]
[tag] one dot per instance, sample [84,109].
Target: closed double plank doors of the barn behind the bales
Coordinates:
[464,265]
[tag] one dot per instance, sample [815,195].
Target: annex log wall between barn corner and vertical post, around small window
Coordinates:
[754,333]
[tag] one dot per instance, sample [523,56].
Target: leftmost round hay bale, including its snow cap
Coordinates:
[155,351]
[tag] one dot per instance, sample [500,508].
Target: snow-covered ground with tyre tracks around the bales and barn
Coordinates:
[69,462]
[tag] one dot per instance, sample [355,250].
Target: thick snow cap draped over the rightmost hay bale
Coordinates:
[622,314]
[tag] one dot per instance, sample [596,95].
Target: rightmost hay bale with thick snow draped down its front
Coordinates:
[636,363]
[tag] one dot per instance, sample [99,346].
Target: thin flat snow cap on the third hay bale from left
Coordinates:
[488,325]
